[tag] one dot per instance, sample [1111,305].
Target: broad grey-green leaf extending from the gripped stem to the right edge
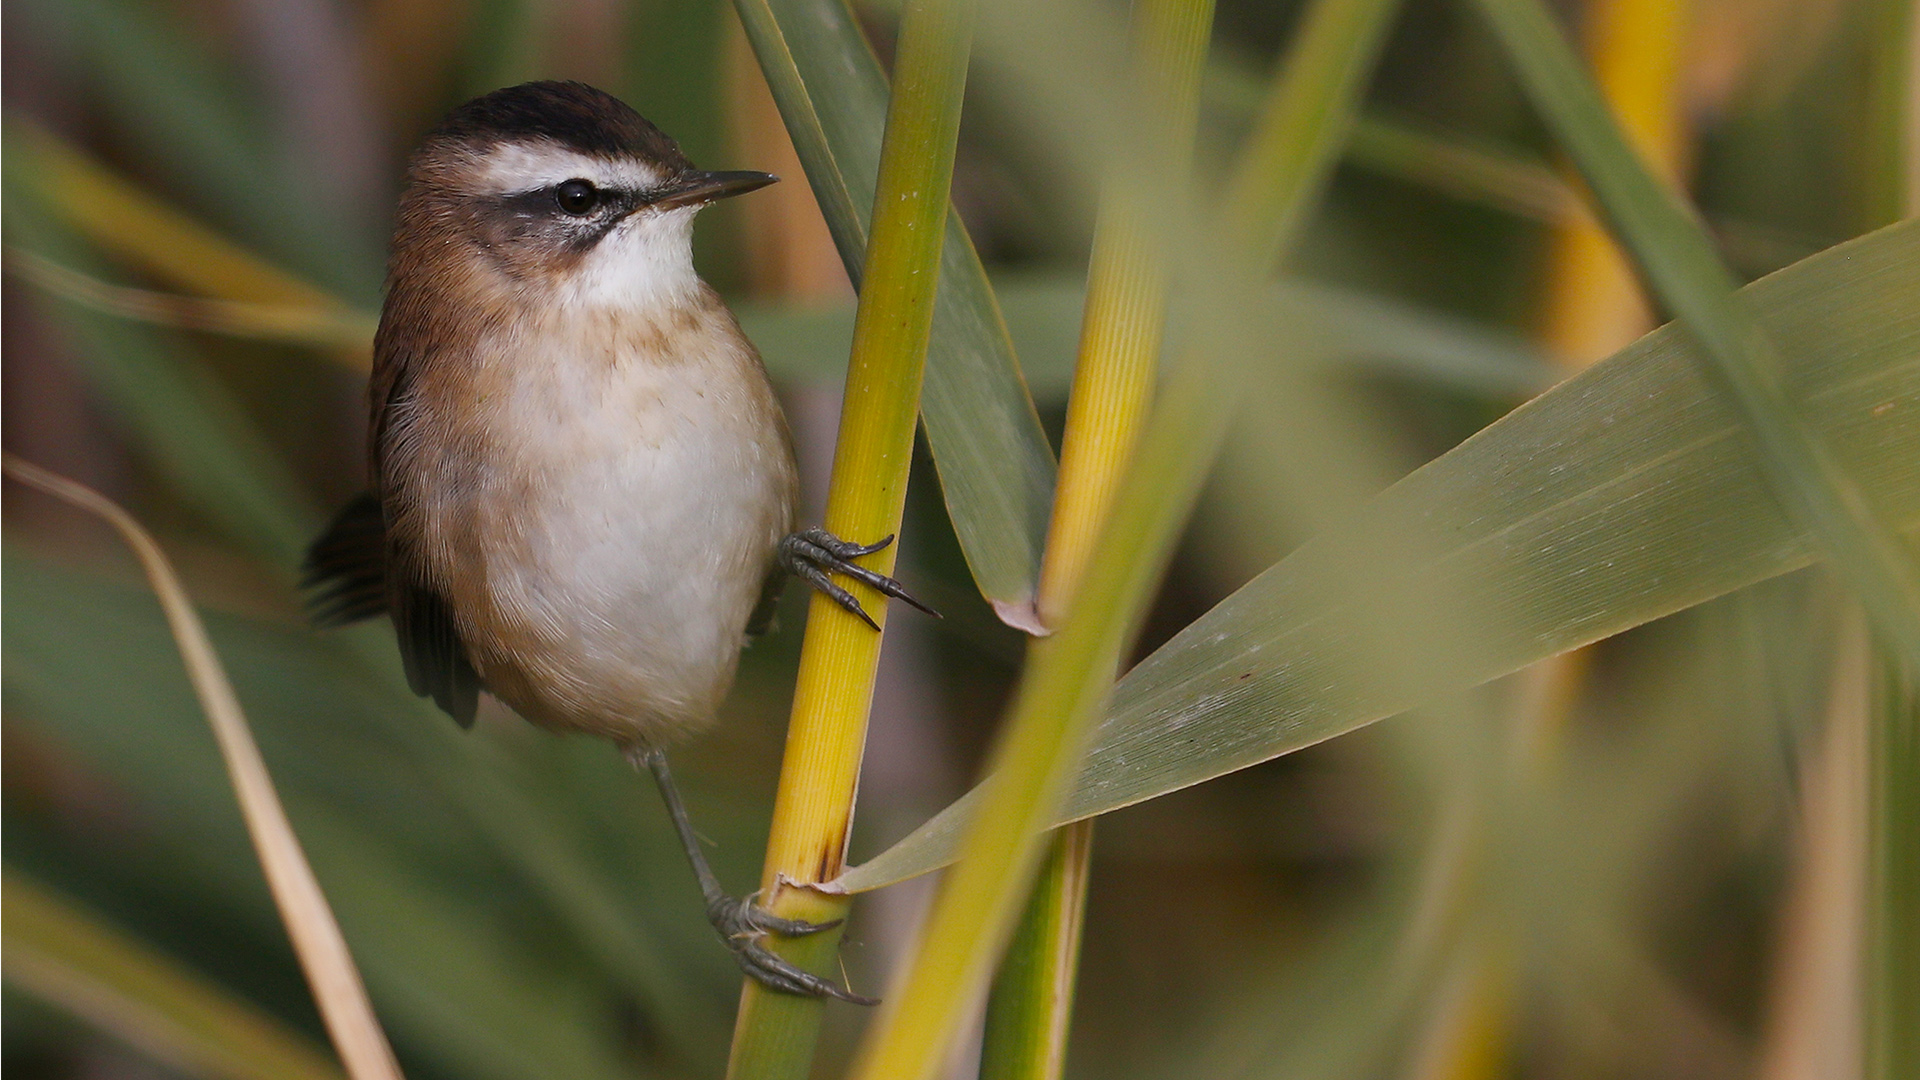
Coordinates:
[1625,495]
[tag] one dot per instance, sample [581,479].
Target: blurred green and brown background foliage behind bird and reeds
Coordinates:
[1608,866]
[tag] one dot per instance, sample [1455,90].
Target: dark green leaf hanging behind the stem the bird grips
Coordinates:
[997,470]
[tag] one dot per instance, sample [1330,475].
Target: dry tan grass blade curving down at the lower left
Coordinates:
[310,921]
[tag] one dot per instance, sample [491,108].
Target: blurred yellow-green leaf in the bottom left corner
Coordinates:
[66,956]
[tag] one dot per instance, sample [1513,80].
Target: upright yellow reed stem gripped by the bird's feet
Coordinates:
[834,693]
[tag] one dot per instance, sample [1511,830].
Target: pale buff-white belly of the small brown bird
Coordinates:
[608,560]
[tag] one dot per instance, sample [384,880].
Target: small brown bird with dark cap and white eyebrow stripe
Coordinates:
[583,487]
